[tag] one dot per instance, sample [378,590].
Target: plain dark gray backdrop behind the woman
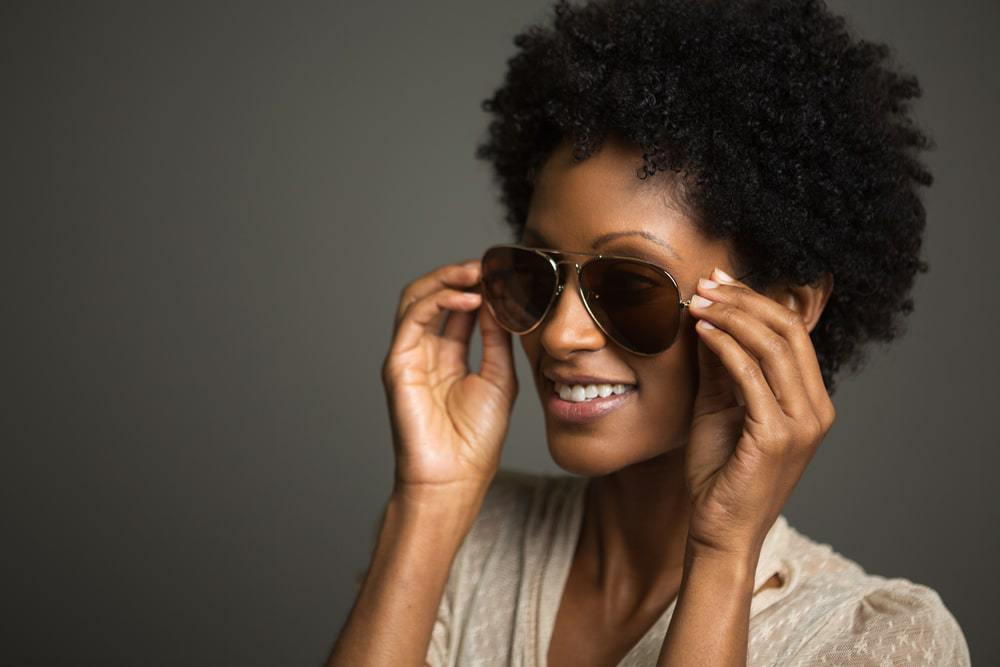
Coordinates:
[194,433]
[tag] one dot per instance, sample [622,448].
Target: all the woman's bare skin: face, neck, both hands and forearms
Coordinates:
[686,480]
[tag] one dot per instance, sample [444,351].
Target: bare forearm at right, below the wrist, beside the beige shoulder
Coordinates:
[710,622]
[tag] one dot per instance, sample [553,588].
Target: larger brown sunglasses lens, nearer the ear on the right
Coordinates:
[636,304]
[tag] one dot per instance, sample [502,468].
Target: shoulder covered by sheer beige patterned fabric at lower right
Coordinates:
[868,618]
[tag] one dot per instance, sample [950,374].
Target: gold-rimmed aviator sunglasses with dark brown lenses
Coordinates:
[636,303]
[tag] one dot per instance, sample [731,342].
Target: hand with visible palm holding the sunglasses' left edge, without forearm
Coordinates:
[448,424]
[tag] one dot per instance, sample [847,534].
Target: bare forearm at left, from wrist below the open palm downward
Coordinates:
[393,616]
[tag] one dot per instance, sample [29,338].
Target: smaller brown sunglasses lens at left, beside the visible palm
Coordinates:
[518,284]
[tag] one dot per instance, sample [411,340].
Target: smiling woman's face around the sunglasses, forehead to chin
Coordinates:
[572,206]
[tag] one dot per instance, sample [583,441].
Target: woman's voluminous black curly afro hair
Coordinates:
[794,139]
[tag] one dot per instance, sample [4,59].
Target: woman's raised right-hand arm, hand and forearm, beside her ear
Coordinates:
[746,452]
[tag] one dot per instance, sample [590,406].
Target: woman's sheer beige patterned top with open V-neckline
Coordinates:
[506,582]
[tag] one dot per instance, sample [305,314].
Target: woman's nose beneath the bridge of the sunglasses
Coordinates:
[568,326]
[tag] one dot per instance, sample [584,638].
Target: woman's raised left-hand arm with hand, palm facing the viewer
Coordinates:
[448,427]
